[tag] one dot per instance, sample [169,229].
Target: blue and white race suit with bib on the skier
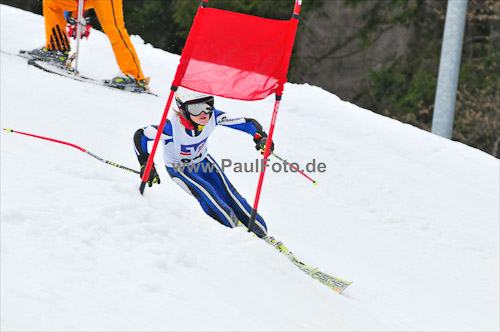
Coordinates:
[185,145]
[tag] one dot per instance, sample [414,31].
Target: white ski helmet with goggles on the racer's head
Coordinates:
[193,103]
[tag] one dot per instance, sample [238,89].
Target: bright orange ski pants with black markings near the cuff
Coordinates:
[110,15]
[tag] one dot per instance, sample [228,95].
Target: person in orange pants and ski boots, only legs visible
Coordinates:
[110,15]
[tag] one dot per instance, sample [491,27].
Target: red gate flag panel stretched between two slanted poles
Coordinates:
[235,55]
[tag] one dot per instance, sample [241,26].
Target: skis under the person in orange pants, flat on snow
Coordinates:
[69,72]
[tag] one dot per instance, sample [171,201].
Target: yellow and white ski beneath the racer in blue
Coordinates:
[336,284]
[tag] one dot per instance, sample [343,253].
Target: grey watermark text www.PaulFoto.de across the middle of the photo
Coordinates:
[254,167]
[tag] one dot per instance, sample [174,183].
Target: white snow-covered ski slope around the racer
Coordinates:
[411,218]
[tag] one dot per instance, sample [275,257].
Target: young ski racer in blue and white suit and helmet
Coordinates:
[184,138]
